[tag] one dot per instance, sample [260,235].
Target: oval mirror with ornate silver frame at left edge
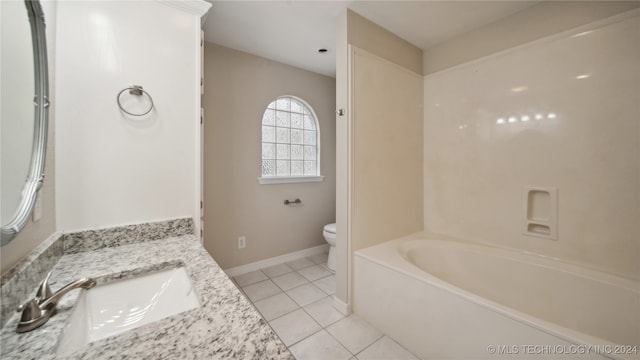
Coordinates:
[23,111]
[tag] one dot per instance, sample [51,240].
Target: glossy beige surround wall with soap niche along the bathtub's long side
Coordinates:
[476,166]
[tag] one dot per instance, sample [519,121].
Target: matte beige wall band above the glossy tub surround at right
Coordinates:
[544,19]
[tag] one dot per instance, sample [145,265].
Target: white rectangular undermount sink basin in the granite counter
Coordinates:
[116,307]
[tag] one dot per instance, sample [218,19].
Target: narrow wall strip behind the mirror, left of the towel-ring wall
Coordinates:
[34,233]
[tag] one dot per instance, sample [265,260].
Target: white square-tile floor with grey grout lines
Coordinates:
[296,299]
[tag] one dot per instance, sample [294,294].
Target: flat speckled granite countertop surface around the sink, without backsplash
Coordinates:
[225,326]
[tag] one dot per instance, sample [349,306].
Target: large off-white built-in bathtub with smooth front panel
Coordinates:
[446,299]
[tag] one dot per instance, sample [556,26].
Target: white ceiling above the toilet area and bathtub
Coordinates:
[291,31]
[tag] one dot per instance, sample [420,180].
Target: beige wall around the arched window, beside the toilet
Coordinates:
[238,88]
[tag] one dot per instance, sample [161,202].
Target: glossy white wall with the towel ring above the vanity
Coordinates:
[111,168]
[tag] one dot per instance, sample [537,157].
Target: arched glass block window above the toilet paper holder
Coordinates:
[290,139]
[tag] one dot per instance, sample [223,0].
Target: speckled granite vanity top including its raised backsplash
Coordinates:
[223,326]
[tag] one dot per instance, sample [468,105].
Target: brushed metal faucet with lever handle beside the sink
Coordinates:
[38,310]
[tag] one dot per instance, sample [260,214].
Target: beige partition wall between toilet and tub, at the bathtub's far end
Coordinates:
[379,143]
